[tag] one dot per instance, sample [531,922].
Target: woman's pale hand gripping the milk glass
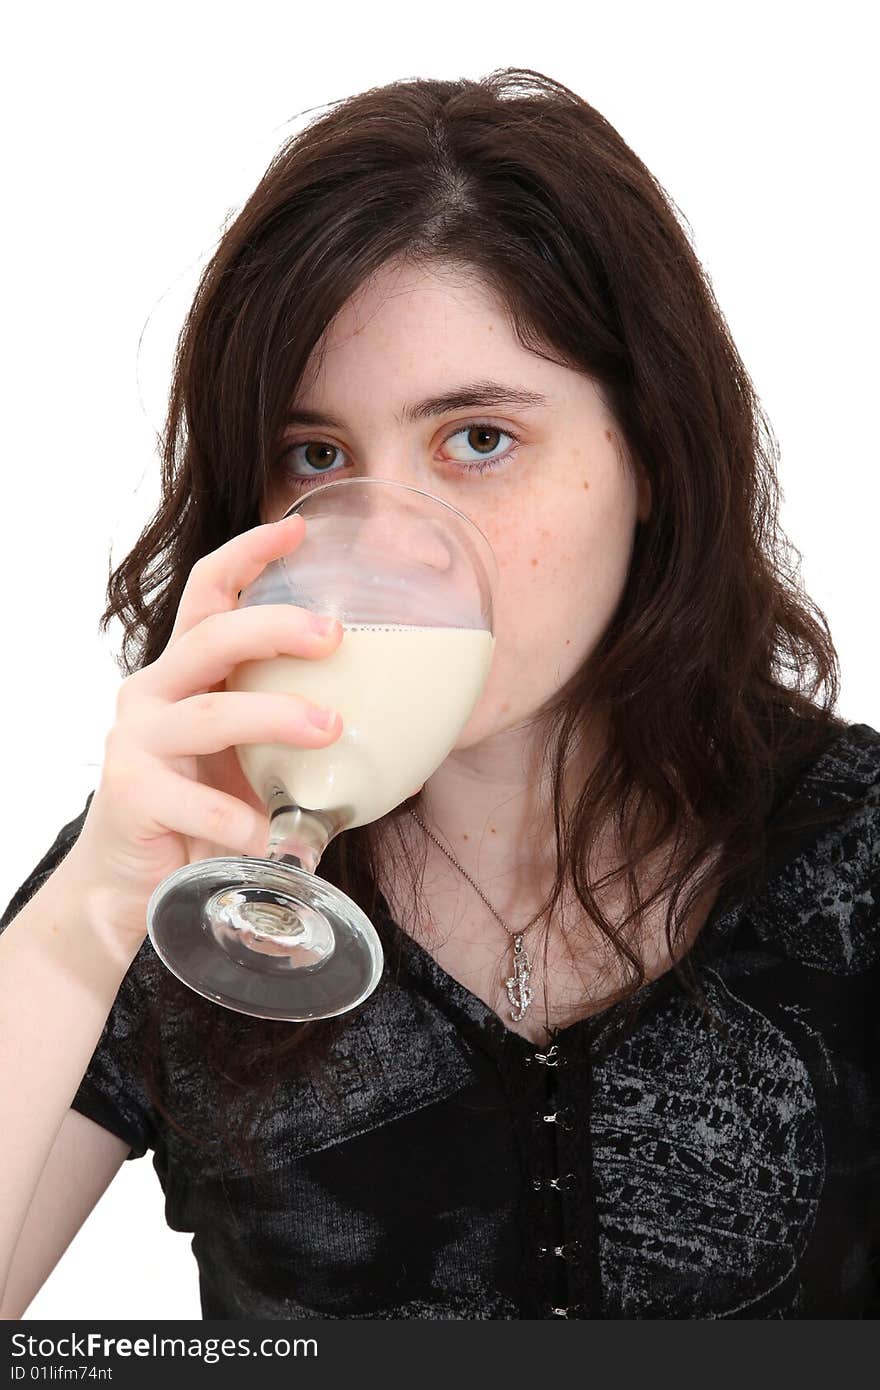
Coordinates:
[154,810]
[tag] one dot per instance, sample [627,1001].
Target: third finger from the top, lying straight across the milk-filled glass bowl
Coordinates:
[213,722]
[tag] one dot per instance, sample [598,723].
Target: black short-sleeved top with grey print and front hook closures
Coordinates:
[657,1171]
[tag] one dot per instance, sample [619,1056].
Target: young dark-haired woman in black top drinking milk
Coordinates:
[479,290]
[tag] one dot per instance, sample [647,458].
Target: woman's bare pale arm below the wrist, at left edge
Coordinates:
[60,971]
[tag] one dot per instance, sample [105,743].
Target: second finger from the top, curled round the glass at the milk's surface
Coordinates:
[209,653]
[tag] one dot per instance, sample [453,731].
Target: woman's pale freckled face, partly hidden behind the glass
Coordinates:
[561,505]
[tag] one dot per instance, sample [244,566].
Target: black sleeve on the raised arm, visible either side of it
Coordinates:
[112,1092]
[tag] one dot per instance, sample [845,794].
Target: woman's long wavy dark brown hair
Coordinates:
[718,675]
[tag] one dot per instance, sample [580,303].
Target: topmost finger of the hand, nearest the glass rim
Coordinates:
[219,578]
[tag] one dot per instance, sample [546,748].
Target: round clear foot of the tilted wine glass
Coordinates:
[266,939]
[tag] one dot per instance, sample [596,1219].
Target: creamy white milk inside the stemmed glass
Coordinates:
[404,694]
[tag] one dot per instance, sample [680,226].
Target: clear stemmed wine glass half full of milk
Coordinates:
[412,582]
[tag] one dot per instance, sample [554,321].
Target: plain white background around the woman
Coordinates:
[134,133]
